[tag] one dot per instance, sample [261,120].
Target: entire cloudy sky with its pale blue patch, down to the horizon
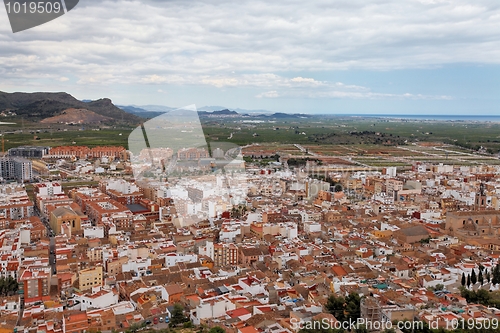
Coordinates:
[336,56]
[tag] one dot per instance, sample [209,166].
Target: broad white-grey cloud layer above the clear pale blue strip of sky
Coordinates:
[251,43]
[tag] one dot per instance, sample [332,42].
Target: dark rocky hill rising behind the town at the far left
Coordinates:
[42,105]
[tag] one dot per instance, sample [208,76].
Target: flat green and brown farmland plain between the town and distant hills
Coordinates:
[363,141]
